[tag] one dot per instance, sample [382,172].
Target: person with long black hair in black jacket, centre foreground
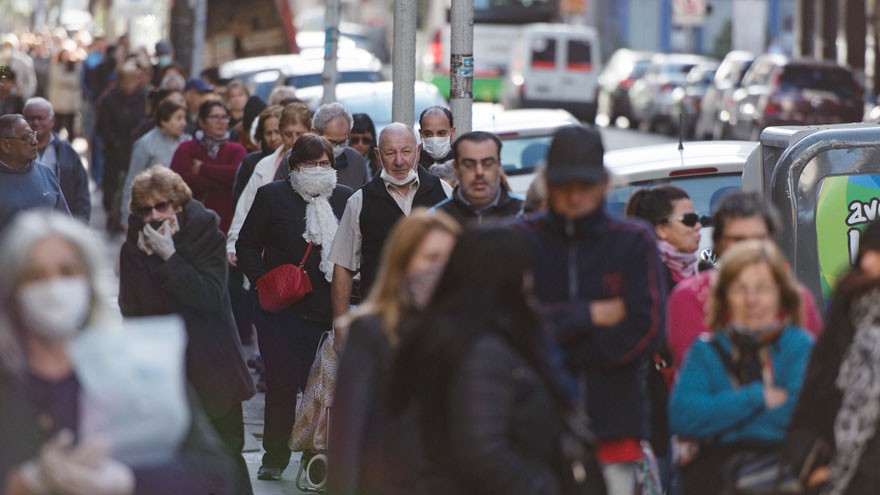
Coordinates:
[478,367]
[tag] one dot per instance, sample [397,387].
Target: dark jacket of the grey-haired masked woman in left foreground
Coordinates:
[200,467]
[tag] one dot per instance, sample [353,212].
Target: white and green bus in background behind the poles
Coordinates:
[497,24]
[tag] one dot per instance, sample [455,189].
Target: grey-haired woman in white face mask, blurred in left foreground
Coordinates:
[50,299]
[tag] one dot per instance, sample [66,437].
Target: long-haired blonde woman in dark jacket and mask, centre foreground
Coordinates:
[369,450]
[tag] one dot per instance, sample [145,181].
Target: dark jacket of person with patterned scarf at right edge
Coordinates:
[812,423]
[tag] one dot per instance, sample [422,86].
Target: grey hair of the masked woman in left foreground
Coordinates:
[19,237]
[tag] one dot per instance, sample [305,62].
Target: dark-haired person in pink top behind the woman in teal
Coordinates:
[739,216]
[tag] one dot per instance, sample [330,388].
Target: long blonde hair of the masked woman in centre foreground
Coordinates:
[387,299]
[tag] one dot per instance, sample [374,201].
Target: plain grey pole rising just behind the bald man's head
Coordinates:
[403,62]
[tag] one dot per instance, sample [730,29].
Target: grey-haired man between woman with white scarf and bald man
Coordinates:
[333,121]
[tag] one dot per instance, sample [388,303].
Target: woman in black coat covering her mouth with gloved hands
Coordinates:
[173,261]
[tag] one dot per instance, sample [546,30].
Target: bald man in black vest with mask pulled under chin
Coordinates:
[371,212]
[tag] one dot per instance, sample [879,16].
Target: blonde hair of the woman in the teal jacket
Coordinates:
[733,262]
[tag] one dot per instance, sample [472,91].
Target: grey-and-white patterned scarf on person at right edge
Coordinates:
[859,381]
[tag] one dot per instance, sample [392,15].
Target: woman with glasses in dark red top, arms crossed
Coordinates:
[208,162]
